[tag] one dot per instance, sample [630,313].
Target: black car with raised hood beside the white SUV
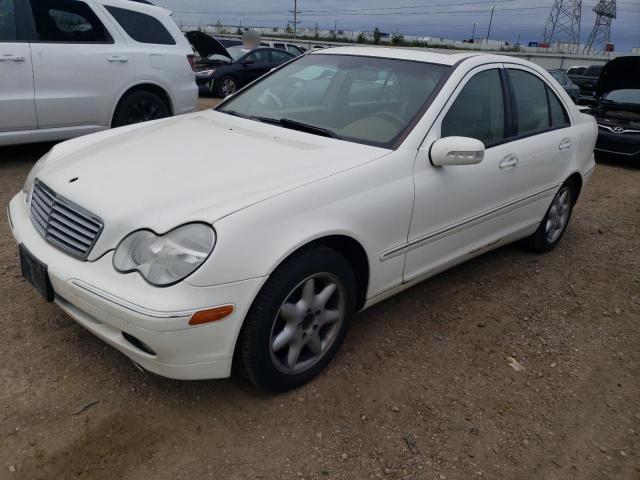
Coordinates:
[222,71]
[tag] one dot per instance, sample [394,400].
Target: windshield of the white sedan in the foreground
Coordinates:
[361,99]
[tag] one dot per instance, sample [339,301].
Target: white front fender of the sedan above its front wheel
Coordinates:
[371,203]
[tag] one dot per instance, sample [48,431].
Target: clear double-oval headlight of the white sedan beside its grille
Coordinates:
[165,259]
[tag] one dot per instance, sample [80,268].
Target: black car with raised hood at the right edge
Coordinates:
[617,108]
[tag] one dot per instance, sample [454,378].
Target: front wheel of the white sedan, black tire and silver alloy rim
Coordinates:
[298,320]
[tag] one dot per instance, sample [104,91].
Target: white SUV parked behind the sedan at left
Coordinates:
[72,67]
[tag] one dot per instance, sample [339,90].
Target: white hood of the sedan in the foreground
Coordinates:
[197,167]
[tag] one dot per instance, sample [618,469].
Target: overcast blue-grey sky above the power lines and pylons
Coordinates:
[453,19]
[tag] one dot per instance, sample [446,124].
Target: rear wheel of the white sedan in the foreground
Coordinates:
[556,220]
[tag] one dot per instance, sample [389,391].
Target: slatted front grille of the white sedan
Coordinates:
[62,222]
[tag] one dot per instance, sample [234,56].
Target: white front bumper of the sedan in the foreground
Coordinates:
[114,306]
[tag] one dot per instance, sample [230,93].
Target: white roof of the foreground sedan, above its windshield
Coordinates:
[418,55]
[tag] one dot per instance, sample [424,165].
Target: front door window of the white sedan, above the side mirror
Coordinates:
[478,111]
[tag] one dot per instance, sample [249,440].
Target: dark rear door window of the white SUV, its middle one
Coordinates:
[67,21]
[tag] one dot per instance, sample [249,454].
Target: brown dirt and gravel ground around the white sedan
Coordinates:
[422,388]
